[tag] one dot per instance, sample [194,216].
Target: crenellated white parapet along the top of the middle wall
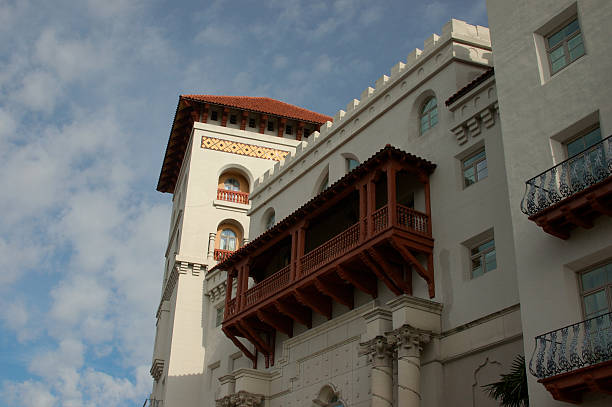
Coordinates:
[458,41]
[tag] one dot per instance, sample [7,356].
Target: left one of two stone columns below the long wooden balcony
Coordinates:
[380,352]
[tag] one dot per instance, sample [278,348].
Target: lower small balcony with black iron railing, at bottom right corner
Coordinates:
[575,359]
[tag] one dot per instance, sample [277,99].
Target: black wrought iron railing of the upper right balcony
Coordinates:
[573,175]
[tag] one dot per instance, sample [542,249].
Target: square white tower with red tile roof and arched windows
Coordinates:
[218,147]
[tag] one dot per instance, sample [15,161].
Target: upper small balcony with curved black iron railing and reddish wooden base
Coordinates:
[573,193]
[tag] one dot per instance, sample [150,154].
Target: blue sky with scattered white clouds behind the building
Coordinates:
[89,90]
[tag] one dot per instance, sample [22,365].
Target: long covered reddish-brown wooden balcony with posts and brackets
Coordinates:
[316,256]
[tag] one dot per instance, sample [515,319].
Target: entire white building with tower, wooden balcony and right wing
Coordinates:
[389,261]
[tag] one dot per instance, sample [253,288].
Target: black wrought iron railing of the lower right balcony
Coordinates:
[575,346]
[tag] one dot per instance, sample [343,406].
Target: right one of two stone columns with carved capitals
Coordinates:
[408,341]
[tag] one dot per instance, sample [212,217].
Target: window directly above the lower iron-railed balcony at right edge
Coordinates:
[596,290]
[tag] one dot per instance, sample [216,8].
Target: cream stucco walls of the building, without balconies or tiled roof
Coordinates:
[401,350]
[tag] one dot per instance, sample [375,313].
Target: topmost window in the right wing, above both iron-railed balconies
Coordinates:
[564,46]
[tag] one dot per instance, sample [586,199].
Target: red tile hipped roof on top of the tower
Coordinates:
[262,105]
